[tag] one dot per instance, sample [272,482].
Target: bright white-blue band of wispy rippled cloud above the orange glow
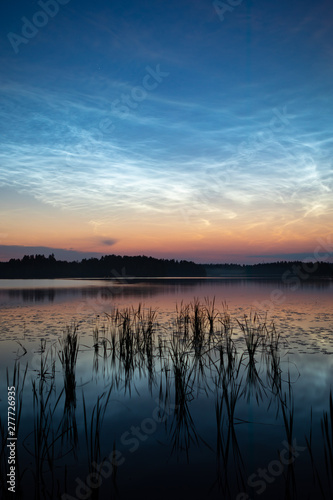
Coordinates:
[274,170]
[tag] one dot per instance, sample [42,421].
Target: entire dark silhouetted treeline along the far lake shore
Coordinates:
[120,267]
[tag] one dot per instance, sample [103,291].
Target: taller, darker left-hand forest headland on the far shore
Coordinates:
[109,266]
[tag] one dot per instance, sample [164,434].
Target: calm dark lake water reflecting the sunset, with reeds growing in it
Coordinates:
[181,419]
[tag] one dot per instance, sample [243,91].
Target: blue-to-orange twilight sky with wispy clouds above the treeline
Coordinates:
[185,129]
